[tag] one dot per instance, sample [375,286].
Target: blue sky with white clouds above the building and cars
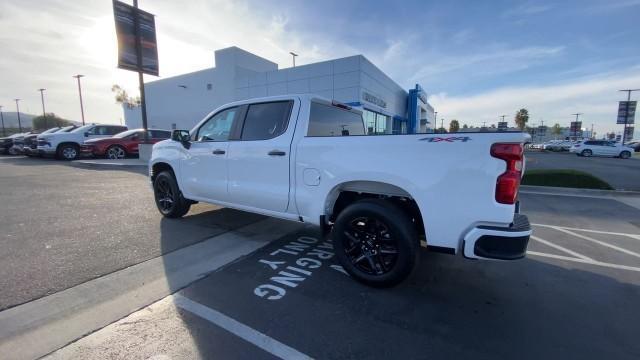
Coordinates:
[476,59]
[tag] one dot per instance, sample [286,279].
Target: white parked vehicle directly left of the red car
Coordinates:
[66,145]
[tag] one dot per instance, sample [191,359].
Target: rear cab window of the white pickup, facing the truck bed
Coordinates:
[327,120]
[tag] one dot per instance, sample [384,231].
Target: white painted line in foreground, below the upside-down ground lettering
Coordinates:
[239,329]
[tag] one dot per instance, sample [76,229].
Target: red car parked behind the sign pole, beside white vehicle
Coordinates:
[123,144]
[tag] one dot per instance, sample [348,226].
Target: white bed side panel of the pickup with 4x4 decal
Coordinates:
[452,180]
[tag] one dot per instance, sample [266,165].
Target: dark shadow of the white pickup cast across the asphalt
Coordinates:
[449,308]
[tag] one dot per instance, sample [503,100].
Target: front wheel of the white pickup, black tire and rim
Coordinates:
[168,196]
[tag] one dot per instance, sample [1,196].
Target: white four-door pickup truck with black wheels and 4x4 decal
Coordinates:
[307,159]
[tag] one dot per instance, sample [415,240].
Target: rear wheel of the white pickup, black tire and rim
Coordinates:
[376,242]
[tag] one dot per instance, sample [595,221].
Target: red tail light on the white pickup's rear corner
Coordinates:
[508,182]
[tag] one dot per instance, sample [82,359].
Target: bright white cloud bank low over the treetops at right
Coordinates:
[595,96]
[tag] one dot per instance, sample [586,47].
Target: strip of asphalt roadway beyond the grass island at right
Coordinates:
[621,174]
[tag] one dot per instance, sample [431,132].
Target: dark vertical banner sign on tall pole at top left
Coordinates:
[127,43]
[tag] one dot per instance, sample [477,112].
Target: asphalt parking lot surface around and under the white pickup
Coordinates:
[574,296]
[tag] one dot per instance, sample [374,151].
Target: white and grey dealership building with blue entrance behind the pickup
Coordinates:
[179,102]
